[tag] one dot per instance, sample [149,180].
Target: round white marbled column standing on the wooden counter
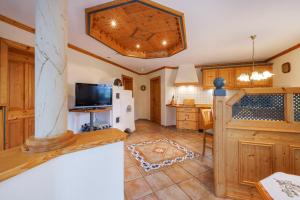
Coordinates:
[50,68]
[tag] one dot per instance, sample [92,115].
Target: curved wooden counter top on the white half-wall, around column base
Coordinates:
[15,161]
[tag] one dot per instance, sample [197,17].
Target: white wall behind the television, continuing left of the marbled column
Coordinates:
[86,69]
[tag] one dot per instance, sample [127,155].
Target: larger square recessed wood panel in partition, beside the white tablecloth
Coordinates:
[255,161]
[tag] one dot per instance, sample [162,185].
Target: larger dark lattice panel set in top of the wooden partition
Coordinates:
[260,107]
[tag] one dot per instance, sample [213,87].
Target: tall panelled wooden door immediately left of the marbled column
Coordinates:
[20,106]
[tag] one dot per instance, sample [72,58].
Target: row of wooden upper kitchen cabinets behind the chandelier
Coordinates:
[231,74]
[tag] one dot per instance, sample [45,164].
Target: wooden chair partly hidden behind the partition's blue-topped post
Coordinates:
[208,124]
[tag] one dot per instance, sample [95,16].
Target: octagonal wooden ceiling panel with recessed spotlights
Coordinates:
[137,28]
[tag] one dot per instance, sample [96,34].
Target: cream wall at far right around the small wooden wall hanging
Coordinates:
[291,79]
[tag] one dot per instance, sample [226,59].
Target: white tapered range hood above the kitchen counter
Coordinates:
[186,75]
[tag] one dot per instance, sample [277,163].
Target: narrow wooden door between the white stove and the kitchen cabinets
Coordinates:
[155,101]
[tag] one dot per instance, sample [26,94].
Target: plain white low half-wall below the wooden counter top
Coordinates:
[92,174]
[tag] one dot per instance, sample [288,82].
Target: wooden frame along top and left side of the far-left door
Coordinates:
[5,46]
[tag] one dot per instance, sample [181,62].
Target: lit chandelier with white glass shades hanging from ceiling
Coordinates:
[255,75]
